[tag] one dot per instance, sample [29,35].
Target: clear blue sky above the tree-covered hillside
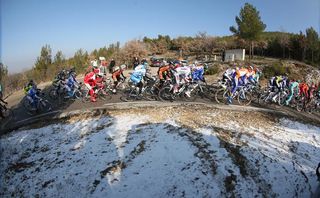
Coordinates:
[68,25]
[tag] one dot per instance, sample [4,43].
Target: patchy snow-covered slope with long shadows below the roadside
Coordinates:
[127,155]
